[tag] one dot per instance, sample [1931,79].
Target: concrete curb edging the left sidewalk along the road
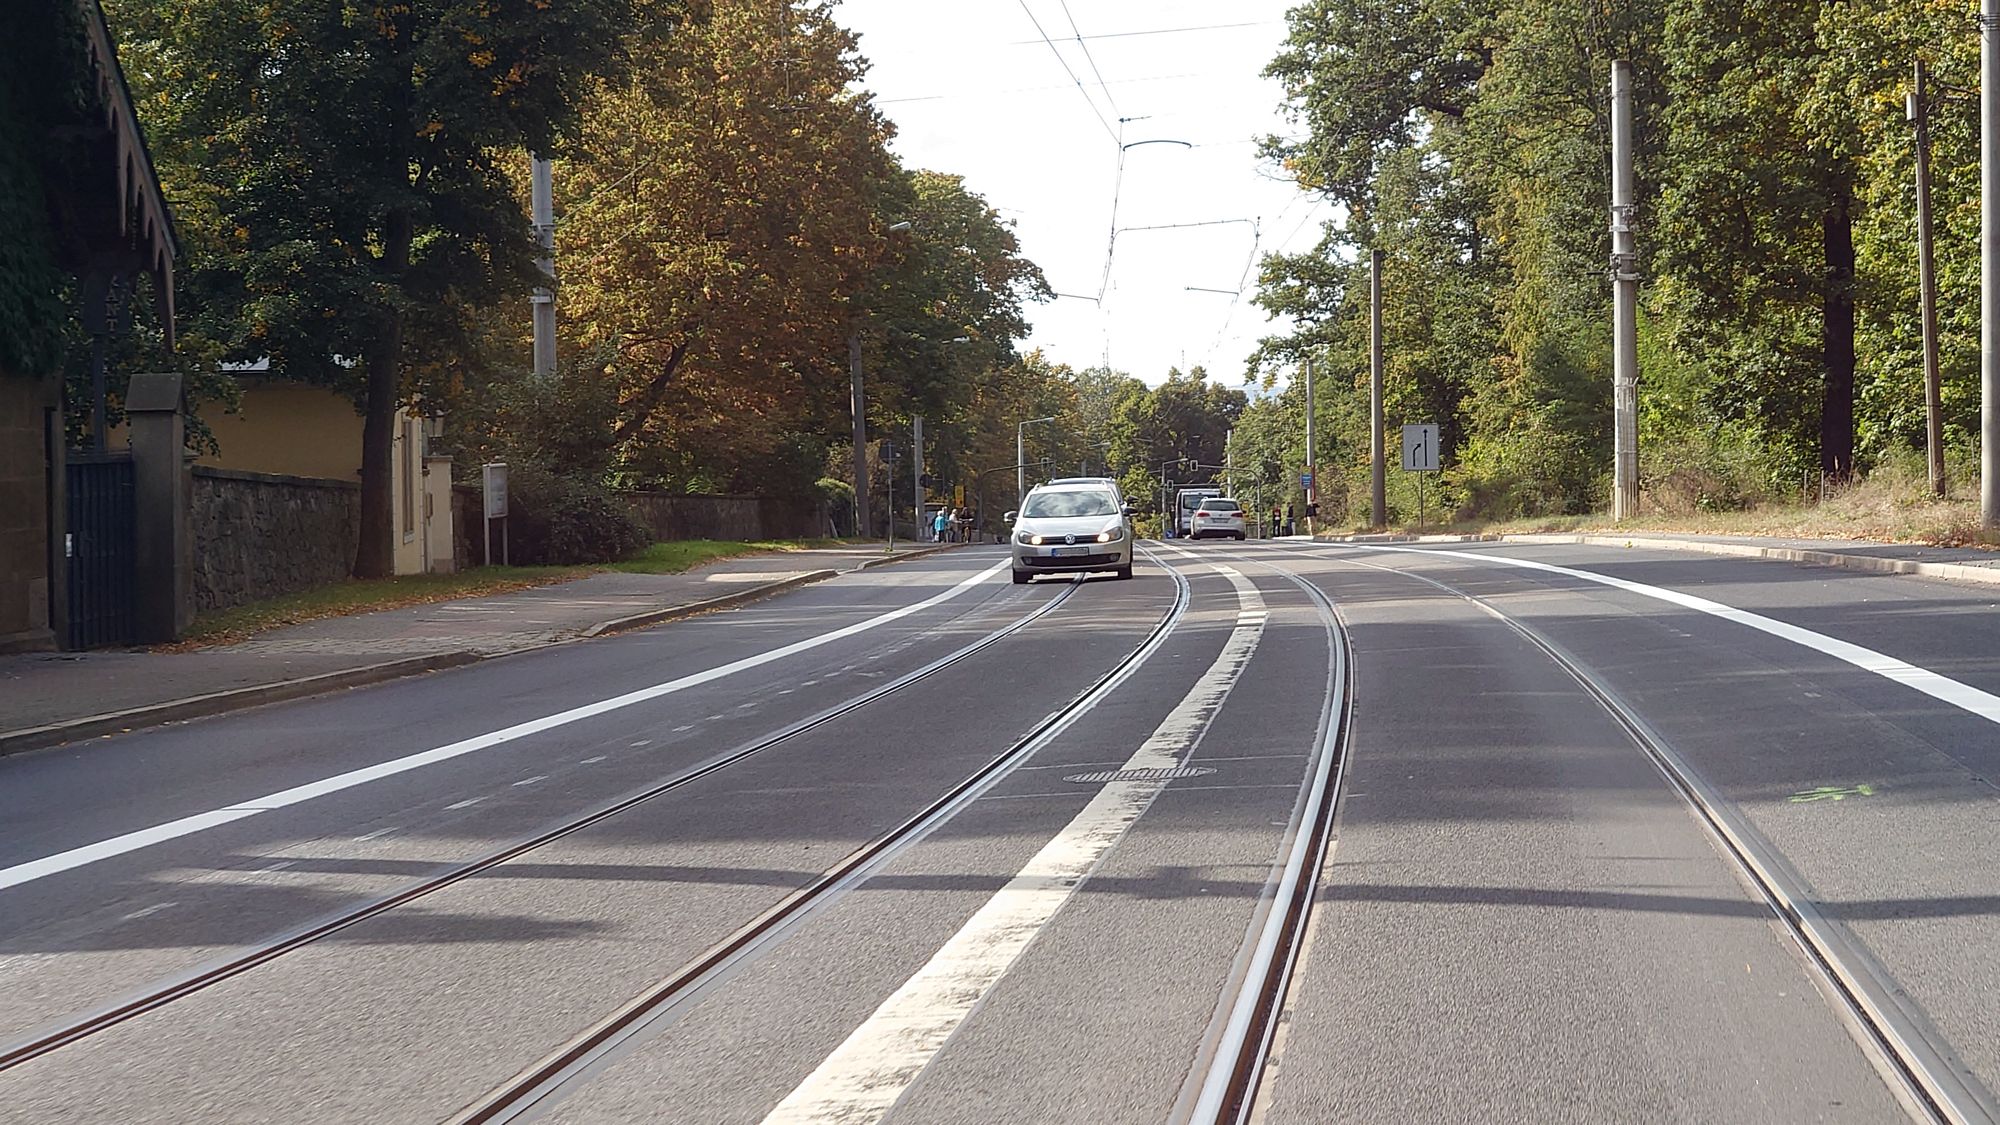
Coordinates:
[257,696]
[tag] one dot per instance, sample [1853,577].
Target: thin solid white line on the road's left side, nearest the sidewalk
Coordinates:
[287,798]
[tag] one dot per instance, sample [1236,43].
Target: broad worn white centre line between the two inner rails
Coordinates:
[867,1074]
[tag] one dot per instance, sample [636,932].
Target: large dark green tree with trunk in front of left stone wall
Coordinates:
[351,161]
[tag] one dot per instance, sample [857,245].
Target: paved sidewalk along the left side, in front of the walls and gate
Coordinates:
[51,690]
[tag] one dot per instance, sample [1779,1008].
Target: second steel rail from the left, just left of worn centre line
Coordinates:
[577,1062]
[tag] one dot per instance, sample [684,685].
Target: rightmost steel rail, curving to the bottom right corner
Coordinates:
[1915,1058]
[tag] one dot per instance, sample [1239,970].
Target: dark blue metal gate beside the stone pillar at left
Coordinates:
[99,549]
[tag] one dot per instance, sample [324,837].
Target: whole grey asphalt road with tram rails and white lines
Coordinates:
[925,846]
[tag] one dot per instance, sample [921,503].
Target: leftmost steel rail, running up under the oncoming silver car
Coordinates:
[171,990]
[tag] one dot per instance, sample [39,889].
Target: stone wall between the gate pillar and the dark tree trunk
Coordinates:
[259,535]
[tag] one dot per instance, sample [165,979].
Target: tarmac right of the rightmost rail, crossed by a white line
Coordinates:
[1863,752]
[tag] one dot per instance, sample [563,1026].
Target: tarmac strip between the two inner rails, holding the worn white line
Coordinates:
[1031,962]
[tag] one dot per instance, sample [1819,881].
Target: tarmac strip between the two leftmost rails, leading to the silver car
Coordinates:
[411,1014]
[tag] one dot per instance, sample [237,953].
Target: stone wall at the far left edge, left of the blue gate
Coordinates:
[23,515]
